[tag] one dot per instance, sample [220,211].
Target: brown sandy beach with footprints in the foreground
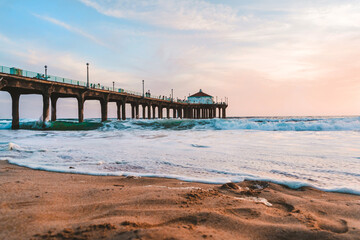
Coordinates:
[45,205]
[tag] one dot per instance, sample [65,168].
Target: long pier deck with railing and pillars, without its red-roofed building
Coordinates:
[18,82]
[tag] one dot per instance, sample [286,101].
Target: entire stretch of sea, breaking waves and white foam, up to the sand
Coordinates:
[320,152]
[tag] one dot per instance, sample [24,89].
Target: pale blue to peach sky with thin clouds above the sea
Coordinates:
[268,57]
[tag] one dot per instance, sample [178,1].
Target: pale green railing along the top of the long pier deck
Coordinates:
[52,78]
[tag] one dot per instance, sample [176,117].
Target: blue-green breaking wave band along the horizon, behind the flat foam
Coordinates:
[260,124]
